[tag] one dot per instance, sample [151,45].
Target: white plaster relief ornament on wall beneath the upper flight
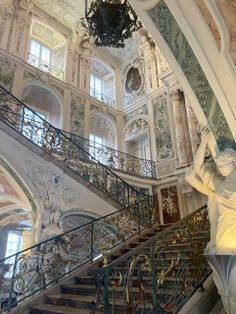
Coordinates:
[54,197]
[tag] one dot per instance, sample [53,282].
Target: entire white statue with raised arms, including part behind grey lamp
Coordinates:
[219,185]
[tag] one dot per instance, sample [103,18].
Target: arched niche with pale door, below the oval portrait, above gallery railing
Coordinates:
[137,138]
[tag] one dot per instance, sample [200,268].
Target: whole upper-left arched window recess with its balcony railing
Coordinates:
[47,49]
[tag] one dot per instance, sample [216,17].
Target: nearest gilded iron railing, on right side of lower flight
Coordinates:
[160,275]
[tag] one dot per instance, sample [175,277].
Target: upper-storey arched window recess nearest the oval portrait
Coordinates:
[102,83]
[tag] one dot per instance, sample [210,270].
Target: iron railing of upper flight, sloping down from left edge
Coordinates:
[61,146]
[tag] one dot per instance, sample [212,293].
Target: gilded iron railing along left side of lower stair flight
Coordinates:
[35,268]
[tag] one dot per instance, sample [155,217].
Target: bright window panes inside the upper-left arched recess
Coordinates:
[40,52]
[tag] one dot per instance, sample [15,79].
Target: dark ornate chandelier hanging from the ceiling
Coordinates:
[110,22]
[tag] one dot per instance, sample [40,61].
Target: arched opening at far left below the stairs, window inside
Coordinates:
[17,212]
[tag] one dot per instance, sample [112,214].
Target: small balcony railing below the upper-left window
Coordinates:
[45,67]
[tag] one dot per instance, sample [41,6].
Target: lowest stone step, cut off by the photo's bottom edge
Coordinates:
[55,309]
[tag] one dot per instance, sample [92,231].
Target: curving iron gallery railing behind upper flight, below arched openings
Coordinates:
[116,159]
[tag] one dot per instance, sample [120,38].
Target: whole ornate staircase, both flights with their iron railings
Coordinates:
[149,272]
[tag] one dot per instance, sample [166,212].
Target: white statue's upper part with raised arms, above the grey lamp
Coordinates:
[219,185]
